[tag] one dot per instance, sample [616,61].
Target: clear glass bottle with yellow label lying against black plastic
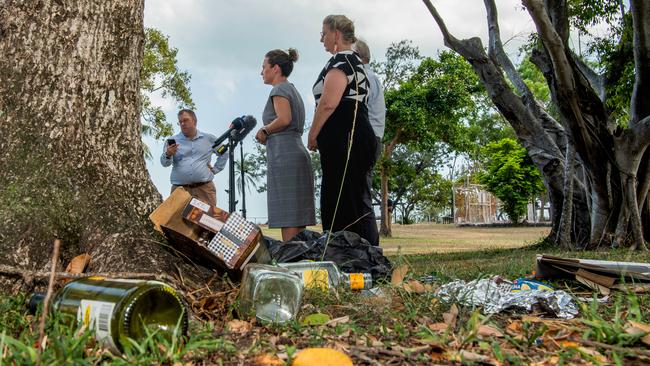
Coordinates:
[326,275]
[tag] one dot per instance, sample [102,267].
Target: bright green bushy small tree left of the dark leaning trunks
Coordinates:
[511,176]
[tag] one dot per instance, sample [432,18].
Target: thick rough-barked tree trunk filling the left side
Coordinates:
[72,161]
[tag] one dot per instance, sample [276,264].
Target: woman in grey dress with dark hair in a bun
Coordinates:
[290,182]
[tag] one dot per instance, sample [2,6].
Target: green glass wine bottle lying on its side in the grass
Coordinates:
[118,309]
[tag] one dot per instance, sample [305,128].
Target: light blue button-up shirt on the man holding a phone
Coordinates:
[191,162]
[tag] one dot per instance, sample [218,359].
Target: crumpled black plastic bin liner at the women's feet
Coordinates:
[350,252]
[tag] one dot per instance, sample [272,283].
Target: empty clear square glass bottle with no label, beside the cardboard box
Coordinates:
[270,293]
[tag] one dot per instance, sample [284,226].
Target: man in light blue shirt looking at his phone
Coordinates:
[190,152]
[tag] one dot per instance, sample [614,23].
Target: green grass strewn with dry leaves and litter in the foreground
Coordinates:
[393,327]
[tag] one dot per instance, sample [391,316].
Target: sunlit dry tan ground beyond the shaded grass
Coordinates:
[429,237]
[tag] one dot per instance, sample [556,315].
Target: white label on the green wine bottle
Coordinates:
[96,315]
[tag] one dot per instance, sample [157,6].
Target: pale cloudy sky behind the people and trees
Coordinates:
[222,45]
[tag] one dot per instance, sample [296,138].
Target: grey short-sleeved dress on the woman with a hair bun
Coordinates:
[289,177]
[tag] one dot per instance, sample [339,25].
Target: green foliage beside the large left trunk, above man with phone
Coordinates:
[160,73]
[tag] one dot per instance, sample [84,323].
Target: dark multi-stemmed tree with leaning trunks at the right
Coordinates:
[595,166]
